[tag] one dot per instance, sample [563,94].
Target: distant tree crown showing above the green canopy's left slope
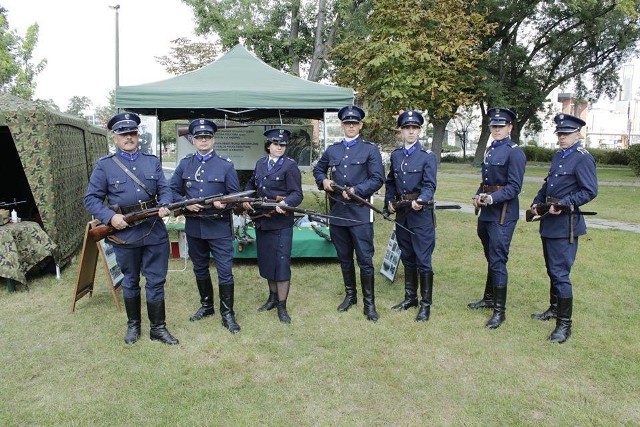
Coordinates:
[187,56]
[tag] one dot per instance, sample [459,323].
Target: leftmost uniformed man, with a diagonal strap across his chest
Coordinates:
[130,180]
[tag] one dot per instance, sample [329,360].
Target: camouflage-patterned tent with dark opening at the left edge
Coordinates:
[46,160]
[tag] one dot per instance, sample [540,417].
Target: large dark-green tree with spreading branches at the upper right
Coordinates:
[543,45]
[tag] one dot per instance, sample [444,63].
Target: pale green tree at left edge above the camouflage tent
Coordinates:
[17,71]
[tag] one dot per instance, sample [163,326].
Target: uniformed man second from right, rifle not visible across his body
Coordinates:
[497,198]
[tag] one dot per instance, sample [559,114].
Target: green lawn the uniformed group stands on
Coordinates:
[330,368]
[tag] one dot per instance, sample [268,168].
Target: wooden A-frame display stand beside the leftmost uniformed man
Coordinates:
[87,269]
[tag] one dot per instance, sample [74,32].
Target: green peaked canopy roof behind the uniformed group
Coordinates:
[238,86]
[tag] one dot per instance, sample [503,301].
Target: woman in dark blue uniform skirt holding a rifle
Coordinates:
[276,177]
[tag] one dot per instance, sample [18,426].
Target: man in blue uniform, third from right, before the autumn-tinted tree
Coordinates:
[412,176]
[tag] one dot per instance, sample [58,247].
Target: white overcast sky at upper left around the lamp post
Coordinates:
[77,37]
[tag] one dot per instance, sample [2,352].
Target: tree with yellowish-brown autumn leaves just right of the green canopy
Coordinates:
[417,56]
